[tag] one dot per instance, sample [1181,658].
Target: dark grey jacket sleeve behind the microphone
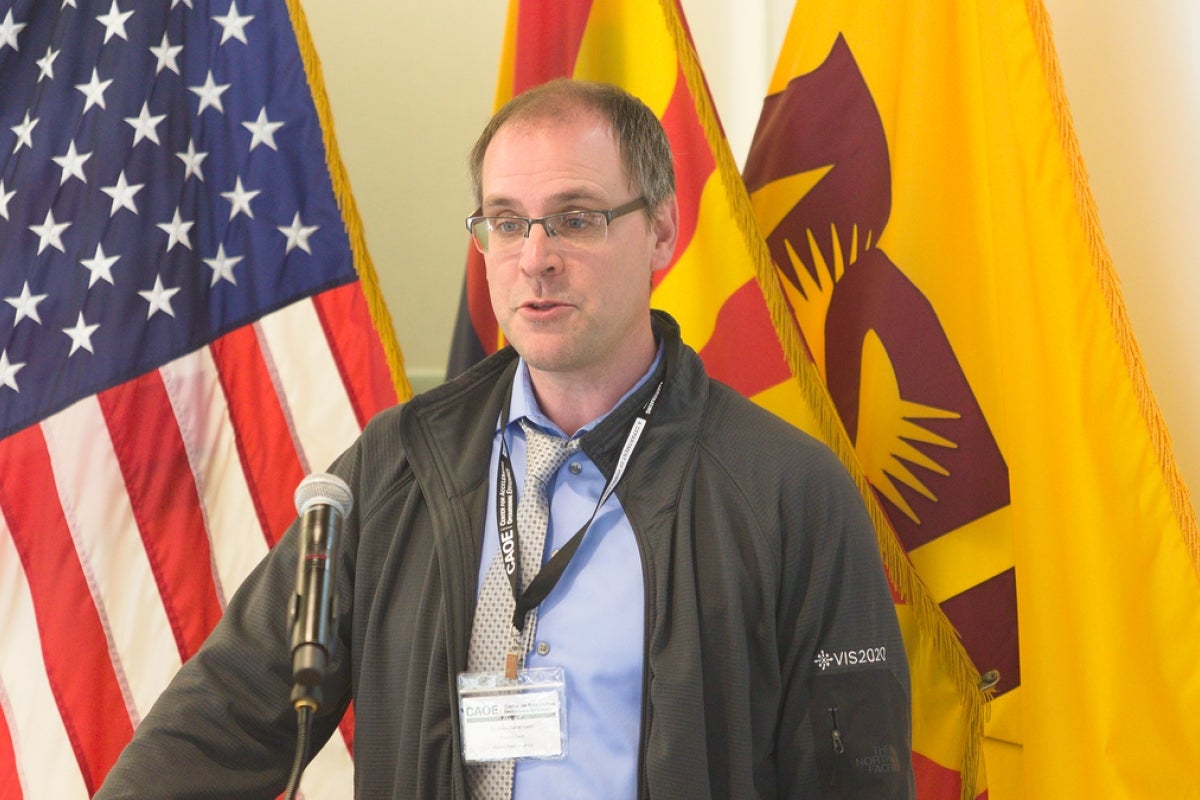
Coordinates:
[225,726]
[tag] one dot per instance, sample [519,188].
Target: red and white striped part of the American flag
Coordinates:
[129,519]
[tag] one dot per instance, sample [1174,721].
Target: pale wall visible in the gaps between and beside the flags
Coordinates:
[412,83]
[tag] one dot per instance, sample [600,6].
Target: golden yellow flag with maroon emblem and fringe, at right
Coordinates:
[919,182]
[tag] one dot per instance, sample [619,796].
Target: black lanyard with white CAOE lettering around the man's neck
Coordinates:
[511,538]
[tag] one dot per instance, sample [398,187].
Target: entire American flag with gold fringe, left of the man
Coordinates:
[184,335]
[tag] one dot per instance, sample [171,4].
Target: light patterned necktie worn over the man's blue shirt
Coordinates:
[493,630]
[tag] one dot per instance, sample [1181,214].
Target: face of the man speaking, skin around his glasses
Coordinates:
[579,311]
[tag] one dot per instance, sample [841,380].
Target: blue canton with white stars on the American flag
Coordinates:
[160,187]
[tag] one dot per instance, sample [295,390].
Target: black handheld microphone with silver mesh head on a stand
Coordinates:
[323,502]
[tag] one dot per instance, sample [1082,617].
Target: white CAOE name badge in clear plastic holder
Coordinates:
[520,719]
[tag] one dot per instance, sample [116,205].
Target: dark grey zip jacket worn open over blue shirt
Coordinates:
[775,665]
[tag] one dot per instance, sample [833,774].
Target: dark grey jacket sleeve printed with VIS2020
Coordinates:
[847,714]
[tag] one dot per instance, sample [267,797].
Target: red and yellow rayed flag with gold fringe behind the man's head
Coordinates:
[716,288]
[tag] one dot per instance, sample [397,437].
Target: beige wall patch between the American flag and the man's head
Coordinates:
[411,85]
